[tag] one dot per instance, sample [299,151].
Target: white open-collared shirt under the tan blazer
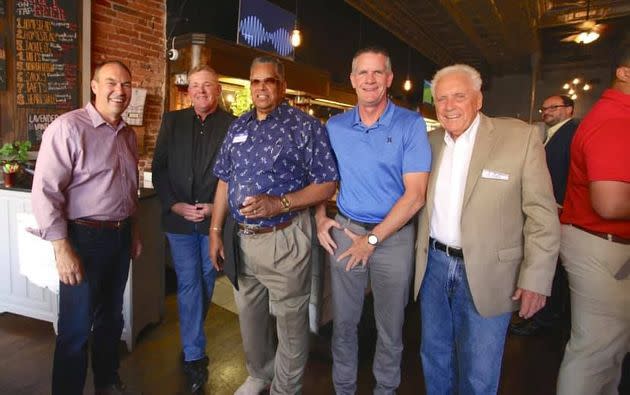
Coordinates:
[445,222]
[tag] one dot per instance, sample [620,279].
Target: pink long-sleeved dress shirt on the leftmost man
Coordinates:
[85,168]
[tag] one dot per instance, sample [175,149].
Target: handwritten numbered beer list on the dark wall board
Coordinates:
[46,54]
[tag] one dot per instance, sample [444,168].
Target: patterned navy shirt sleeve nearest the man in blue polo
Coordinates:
[320,160]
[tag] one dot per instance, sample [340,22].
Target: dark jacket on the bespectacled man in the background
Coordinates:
[558,150]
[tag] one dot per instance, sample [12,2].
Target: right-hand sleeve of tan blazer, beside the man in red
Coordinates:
[541,228]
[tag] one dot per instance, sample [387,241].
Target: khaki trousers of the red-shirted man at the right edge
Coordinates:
[600,313]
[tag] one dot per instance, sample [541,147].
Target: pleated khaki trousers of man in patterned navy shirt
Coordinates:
[275,283]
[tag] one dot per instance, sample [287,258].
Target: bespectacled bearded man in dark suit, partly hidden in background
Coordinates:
[557,113]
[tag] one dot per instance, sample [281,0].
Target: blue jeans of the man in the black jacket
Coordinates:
[195,284]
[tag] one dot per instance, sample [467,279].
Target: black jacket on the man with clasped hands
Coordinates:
[173,168]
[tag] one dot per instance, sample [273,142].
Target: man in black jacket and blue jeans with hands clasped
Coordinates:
[182,176]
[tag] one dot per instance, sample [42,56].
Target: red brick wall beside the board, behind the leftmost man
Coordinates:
[133,31]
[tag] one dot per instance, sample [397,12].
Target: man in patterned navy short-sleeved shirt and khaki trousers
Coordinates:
[275,162]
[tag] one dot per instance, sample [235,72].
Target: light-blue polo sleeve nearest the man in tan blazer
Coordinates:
[417,150]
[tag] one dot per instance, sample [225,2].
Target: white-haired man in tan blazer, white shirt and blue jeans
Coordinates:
[488,237]
